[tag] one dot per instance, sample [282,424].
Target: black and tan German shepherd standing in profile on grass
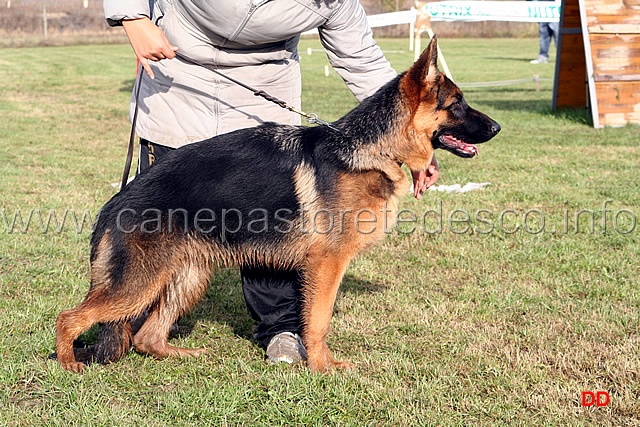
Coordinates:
[294,198]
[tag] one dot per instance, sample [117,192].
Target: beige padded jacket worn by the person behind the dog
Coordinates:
[254,41]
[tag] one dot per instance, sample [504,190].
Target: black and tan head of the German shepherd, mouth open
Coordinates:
[441,116]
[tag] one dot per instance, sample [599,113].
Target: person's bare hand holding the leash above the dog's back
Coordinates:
[148,42]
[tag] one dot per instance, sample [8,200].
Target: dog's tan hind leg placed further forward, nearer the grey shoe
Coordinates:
[188,287]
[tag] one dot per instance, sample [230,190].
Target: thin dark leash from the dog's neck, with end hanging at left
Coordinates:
[312,118]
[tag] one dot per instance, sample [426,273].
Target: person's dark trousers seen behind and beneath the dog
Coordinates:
[272,297]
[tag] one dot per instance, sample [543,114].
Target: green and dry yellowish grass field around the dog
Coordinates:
[500,308]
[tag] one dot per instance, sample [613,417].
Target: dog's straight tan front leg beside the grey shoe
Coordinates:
[322,279]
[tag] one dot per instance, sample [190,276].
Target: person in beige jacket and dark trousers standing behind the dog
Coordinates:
[255,42]
